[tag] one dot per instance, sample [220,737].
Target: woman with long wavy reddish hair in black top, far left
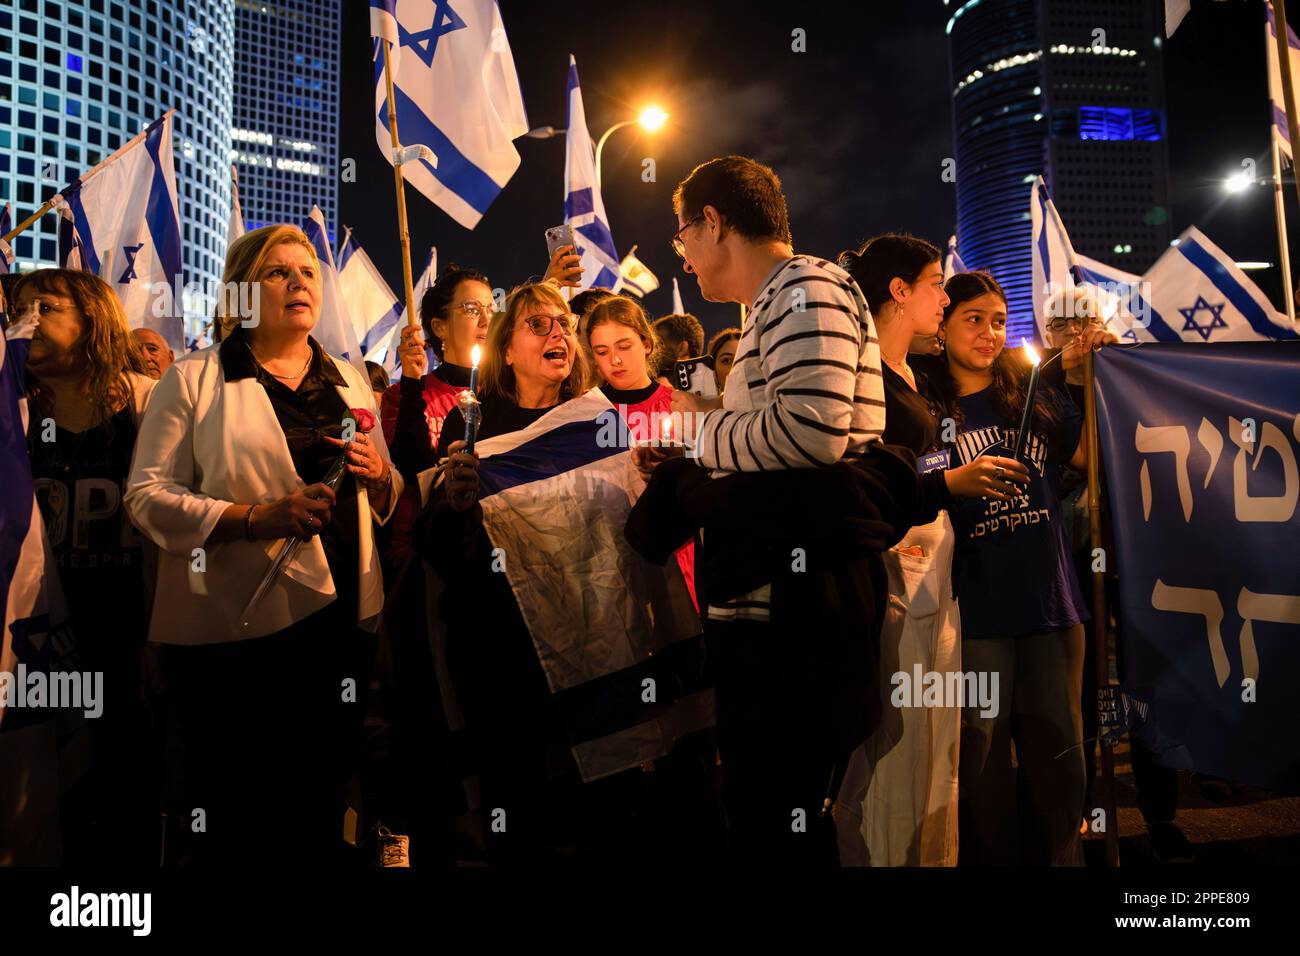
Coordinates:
[88,391]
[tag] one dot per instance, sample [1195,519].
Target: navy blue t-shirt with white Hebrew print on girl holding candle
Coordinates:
[1013,573]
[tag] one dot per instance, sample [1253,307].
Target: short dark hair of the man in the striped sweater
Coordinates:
[746,193]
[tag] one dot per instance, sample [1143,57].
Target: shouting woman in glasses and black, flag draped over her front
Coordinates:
[532,365]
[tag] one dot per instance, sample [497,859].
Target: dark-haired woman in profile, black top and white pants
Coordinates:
[900,795]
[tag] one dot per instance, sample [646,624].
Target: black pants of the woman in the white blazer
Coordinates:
[268,733]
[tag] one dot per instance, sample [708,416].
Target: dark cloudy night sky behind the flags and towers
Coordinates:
[857,128]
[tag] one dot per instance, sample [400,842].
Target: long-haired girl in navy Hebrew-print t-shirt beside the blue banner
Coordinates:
[1021,605]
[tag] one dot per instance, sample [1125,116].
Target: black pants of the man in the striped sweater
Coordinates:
[777,769]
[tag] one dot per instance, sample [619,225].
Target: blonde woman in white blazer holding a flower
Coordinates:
[231,461]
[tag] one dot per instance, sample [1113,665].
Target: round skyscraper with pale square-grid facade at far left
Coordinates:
[81,77]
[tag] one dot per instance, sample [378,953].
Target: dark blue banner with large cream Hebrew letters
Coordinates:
[1201,448]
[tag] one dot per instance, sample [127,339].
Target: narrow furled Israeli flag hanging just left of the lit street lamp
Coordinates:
[584,209]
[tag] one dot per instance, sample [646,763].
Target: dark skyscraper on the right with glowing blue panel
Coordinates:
[1073,90]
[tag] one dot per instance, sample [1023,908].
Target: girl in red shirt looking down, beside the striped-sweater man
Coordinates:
[622,341]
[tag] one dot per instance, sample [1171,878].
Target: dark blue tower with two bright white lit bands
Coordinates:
[285,136]
